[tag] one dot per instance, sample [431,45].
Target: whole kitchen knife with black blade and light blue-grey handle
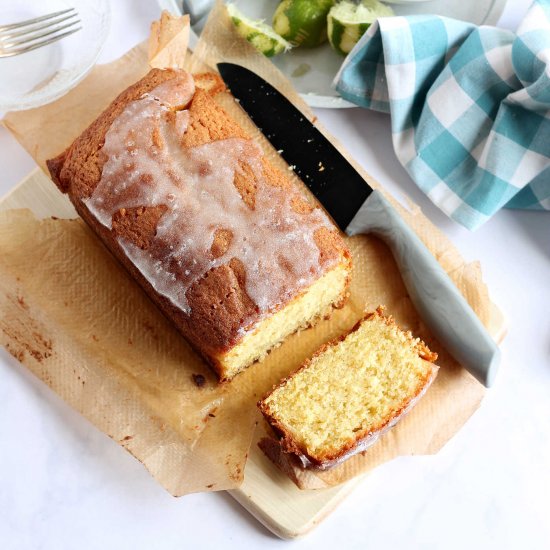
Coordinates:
[357,209]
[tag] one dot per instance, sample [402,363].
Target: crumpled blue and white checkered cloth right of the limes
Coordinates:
[470,107]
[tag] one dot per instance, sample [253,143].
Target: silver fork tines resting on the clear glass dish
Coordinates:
[28,35]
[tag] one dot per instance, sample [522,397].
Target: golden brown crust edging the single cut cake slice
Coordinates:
[287,442]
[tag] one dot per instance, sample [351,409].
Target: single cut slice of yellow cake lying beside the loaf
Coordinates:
[350,392]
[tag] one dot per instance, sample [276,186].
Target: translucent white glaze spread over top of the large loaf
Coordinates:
[146,166]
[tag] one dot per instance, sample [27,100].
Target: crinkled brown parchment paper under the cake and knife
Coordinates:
[72,315]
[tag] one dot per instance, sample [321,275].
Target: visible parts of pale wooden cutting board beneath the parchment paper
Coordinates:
[266,493]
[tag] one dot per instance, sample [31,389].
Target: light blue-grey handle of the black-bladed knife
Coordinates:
[436,298]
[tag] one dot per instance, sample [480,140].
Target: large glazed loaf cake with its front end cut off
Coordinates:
[224,243]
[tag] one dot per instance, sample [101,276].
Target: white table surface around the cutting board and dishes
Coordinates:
[63,484]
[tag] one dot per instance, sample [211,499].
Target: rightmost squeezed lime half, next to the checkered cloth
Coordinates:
[348,21]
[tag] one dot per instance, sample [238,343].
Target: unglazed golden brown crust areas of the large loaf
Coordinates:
[218,301]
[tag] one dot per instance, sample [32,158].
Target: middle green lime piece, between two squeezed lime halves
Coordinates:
[302,22]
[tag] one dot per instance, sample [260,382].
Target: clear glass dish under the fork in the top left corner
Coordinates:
[45,74]
